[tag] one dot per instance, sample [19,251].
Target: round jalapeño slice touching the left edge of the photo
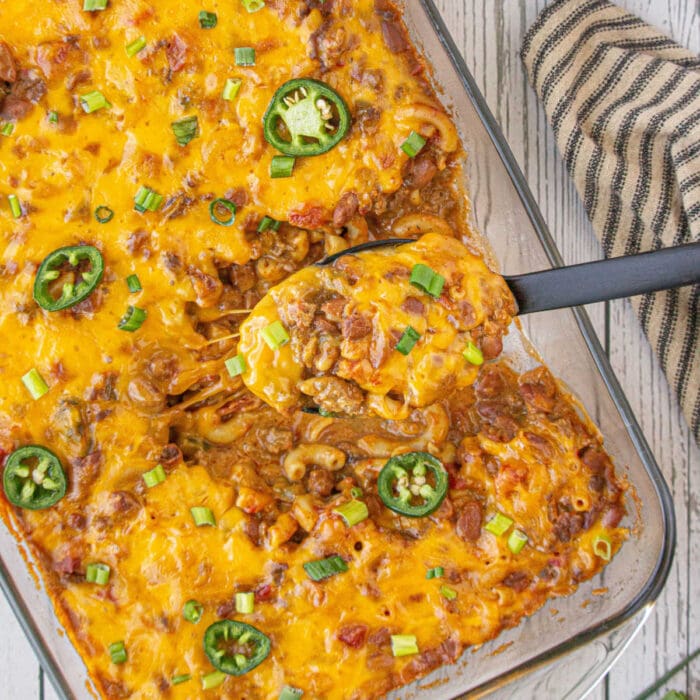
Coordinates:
[34,478]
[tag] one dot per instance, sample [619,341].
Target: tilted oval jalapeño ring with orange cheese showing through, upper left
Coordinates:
[67,276]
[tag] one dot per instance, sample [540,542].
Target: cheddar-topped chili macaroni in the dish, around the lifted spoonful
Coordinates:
[121,403]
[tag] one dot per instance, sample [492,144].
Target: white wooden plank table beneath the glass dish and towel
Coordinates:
[489,32]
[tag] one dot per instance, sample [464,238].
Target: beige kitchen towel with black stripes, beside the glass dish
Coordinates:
[624,103]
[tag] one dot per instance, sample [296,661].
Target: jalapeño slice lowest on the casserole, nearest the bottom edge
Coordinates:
[235,647]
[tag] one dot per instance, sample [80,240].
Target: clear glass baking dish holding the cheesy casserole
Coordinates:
[590,627]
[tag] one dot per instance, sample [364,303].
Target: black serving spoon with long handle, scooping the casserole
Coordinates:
[601,280]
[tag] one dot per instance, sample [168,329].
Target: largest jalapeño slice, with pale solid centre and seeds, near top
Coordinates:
[306,118]
